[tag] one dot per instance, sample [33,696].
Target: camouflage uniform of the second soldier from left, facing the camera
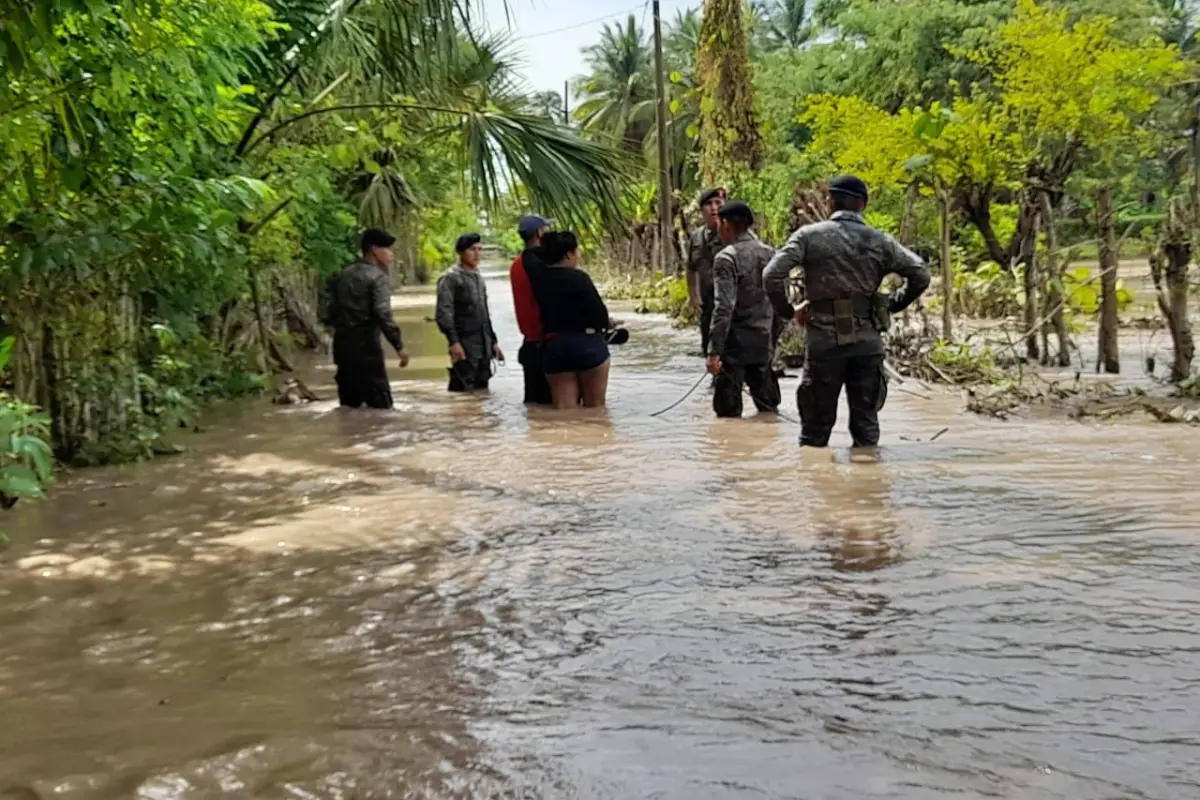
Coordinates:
[465,320]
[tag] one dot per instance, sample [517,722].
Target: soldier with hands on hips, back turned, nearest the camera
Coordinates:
[844,263]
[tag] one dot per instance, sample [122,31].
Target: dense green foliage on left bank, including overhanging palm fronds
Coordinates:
[179,177]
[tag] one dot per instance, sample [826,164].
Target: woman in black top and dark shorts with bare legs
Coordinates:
[574,318]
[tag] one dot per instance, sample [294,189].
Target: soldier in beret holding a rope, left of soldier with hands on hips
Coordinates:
[742,339]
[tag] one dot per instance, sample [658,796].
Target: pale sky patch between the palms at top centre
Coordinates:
[550,34]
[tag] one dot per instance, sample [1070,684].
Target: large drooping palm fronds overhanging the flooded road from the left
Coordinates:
[421,62]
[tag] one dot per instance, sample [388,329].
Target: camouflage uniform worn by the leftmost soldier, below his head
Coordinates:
[359,310]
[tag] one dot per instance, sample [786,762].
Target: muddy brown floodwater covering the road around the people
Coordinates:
[464,599]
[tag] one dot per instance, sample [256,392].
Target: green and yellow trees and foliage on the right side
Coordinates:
[1003,139]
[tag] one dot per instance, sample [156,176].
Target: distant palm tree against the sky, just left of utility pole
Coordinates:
[619,93]
